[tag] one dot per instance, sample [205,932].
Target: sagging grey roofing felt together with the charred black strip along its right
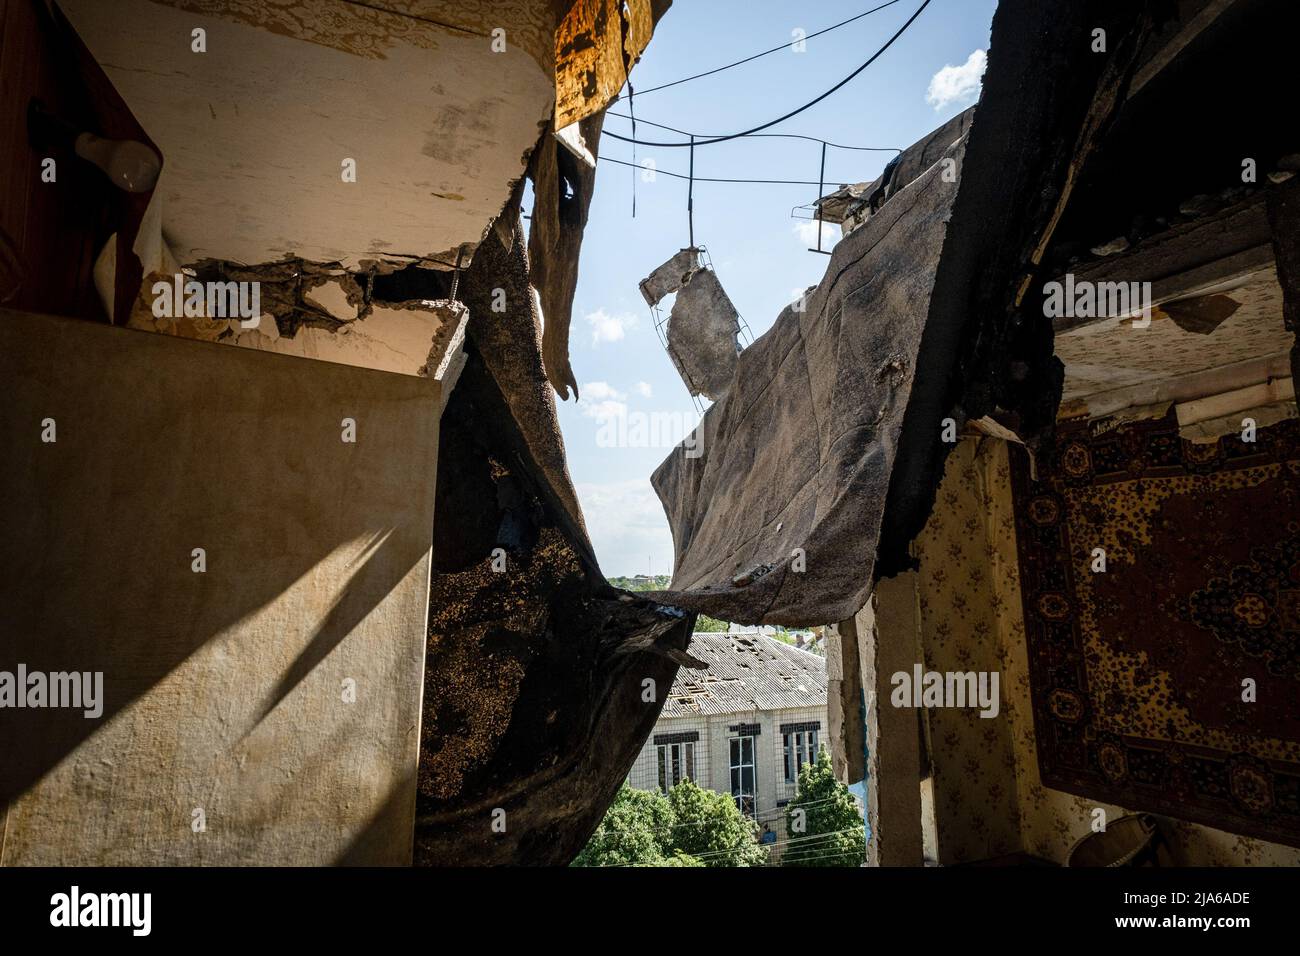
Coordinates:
[812,477]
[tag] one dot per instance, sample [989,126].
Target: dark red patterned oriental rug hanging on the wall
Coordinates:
[1138,672]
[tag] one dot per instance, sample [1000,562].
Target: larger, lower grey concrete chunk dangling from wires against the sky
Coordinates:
[704,332]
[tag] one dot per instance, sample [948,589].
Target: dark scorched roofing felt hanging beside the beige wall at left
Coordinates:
[535,668]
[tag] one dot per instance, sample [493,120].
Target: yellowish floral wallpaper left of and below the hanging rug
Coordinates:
[989,798]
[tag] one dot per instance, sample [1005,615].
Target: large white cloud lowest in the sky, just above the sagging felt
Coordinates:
[627,526]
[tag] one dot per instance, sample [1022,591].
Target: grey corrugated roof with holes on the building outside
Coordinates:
[747,672]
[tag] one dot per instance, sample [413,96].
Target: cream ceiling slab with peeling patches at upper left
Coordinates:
[294,96]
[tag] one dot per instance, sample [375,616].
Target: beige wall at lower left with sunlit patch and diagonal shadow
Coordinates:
[202,537]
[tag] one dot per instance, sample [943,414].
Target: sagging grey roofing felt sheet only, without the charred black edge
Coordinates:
[798,455]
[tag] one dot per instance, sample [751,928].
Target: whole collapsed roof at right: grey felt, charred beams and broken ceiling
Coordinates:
[931,315]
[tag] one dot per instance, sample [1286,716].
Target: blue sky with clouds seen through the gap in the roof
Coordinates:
[756,246]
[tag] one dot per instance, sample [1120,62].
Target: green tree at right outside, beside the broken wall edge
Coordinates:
[824,823]
